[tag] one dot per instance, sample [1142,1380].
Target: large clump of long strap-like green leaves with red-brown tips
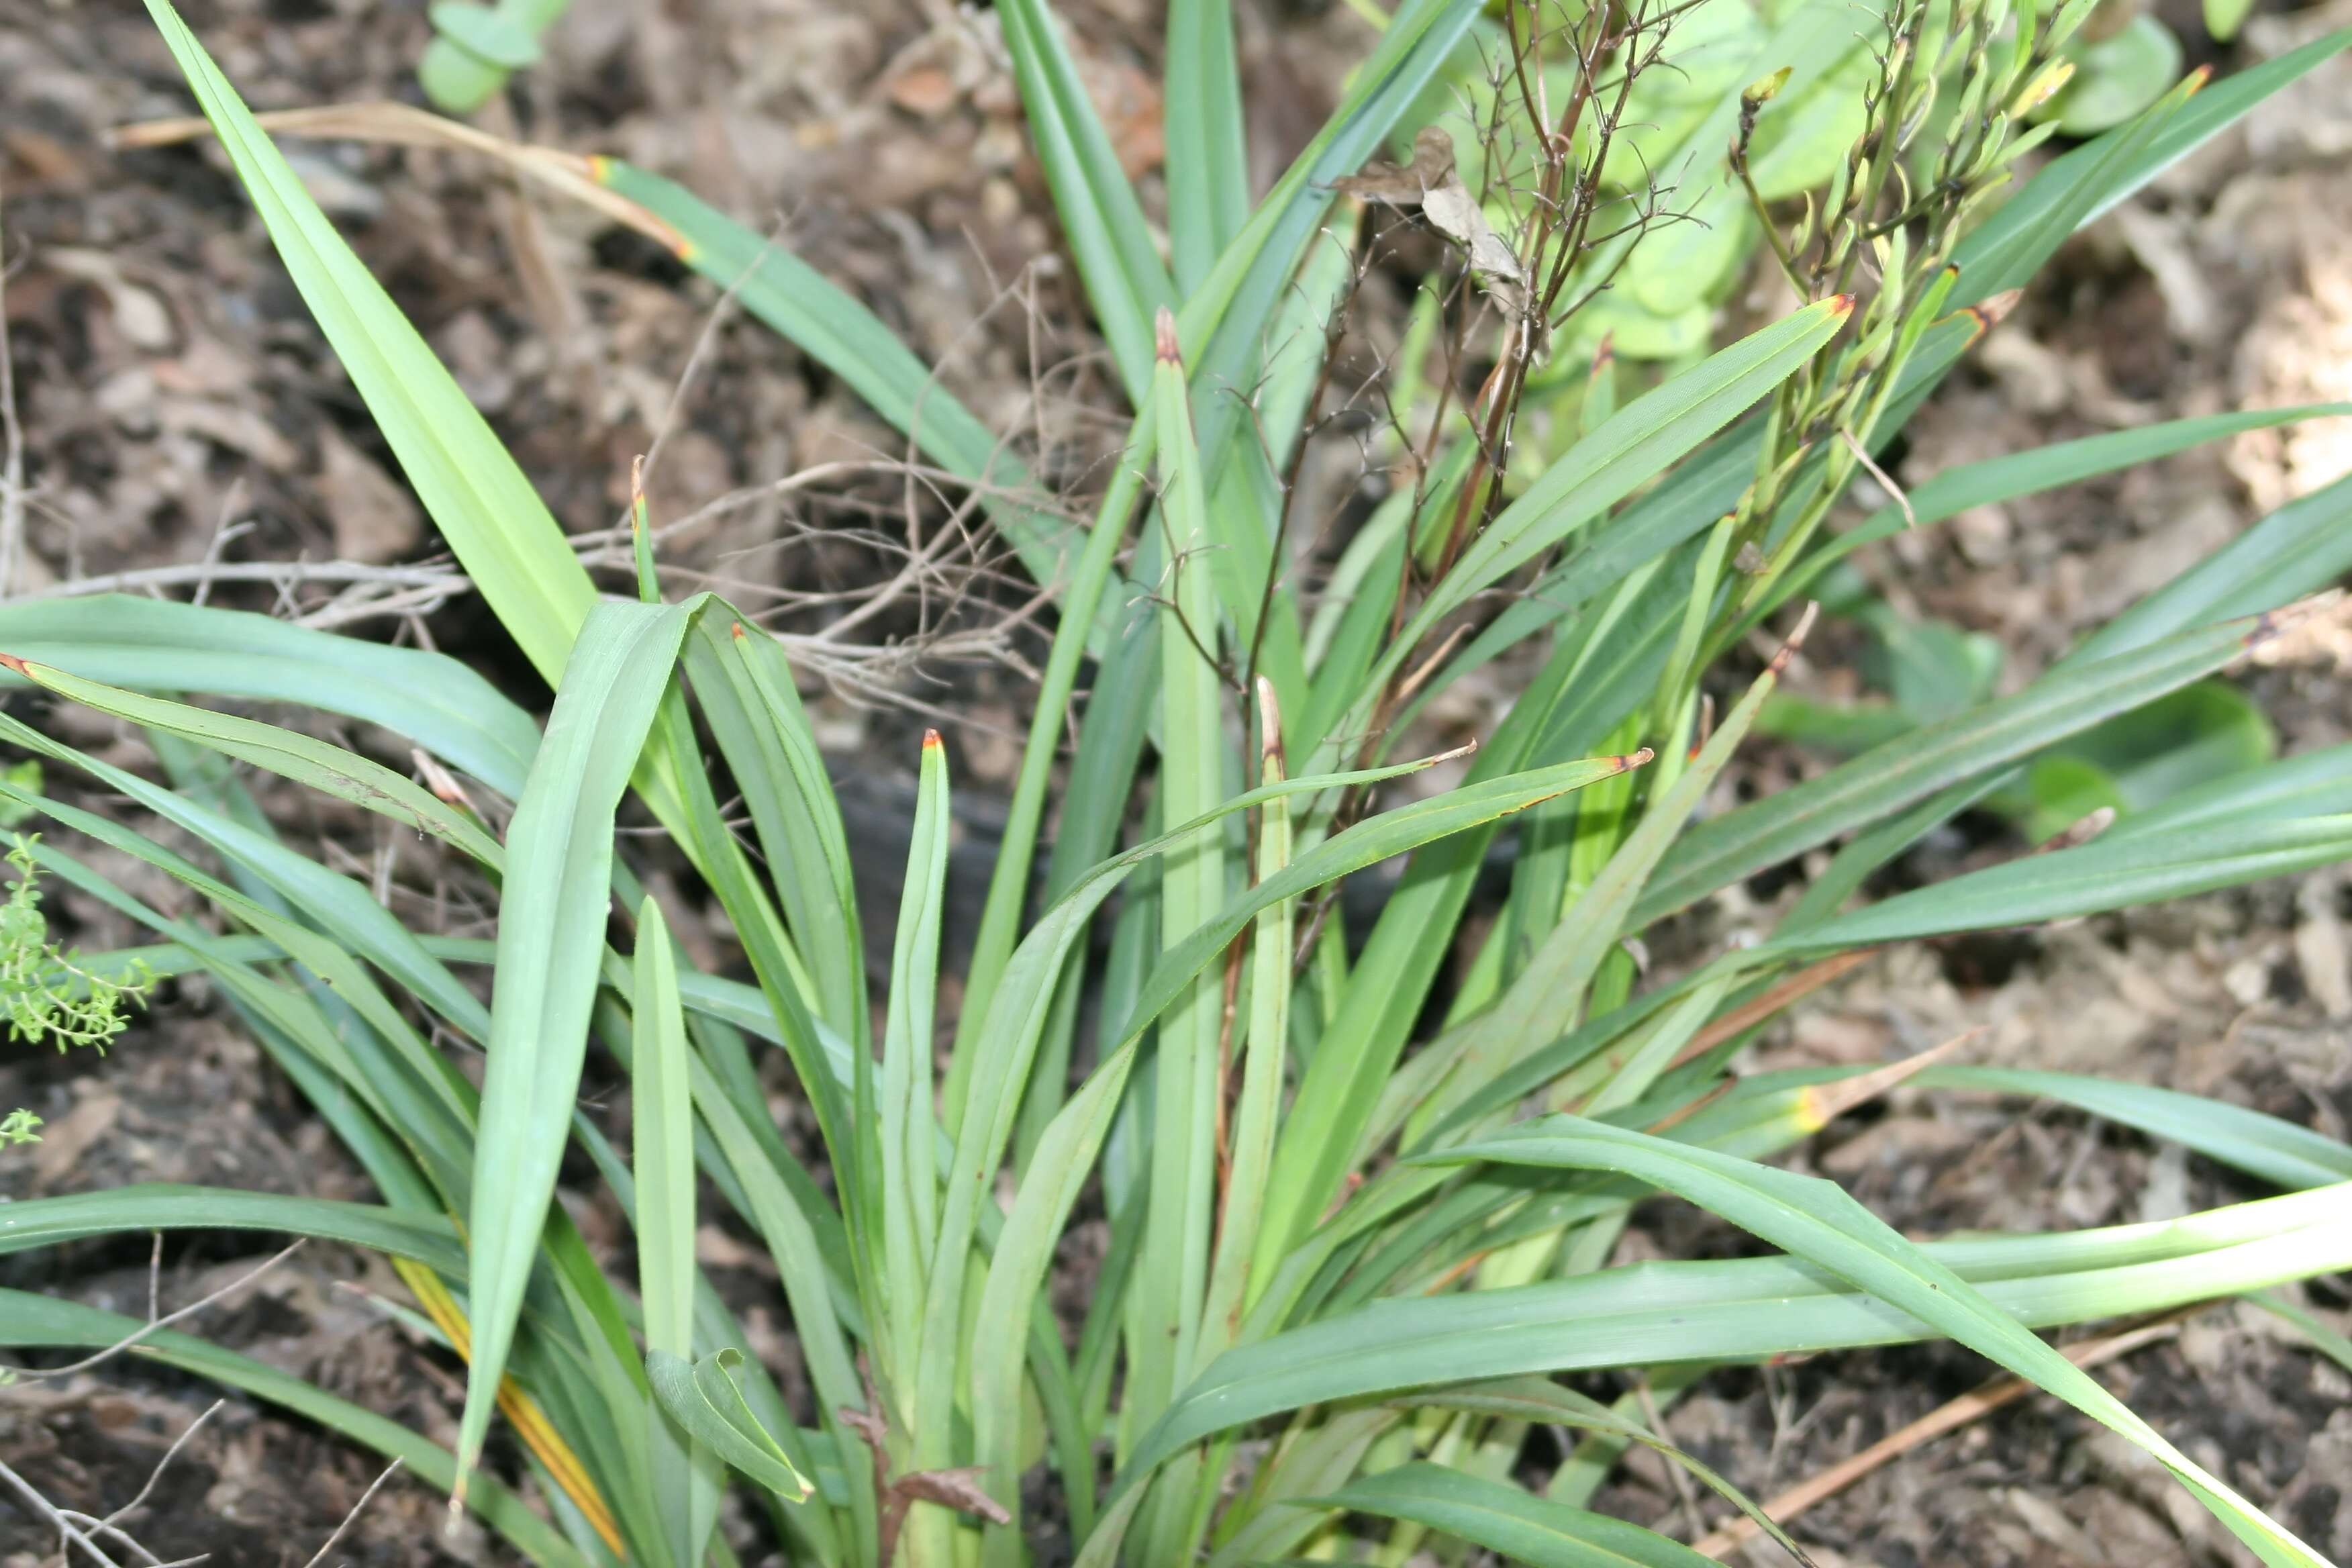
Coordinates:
[1356,1191]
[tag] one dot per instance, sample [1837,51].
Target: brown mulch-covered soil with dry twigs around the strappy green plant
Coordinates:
[182,415]
